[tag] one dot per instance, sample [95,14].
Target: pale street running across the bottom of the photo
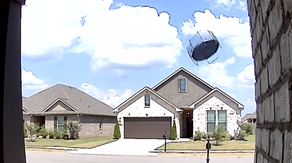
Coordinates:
[62,157]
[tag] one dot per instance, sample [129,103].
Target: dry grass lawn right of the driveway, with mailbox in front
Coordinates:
[225,145]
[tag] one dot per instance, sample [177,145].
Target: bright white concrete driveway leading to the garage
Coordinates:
[124,147]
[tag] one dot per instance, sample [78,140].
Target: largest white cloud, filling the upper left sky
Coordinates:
[119,38]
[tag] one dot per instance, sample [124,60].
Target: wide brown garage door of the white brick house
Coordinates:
[146,128]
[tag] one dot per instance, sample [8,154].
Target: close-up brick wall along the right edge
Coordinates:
[271,33]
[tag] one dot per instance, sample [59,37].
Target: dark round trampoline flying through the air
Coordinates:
[203,45]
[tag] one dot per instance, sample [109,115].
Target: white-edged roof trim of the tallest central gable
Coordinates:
[186,71]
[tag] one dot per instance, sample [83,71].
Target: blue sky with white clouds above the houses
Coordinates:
[110,49]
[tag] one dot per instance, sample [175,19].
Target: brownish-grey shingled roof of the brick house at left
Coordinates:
[79,101]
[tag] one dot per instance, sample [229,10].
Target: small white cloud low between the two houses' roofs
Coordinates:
[111,97]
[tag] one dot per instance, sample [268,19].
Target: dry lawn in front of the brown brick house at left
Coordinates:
[79,143]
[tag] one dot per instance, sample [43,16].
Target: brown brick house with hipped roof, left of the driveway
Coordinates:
[54,106]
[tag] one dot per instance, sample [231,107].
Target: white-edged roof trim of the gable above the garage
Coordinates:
[140,91]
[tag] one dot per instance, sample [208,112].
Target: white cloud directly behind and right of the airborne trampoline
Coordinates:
[233,31]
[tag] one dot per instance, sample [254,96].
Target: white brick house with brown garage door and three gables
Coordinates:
[181,97]
